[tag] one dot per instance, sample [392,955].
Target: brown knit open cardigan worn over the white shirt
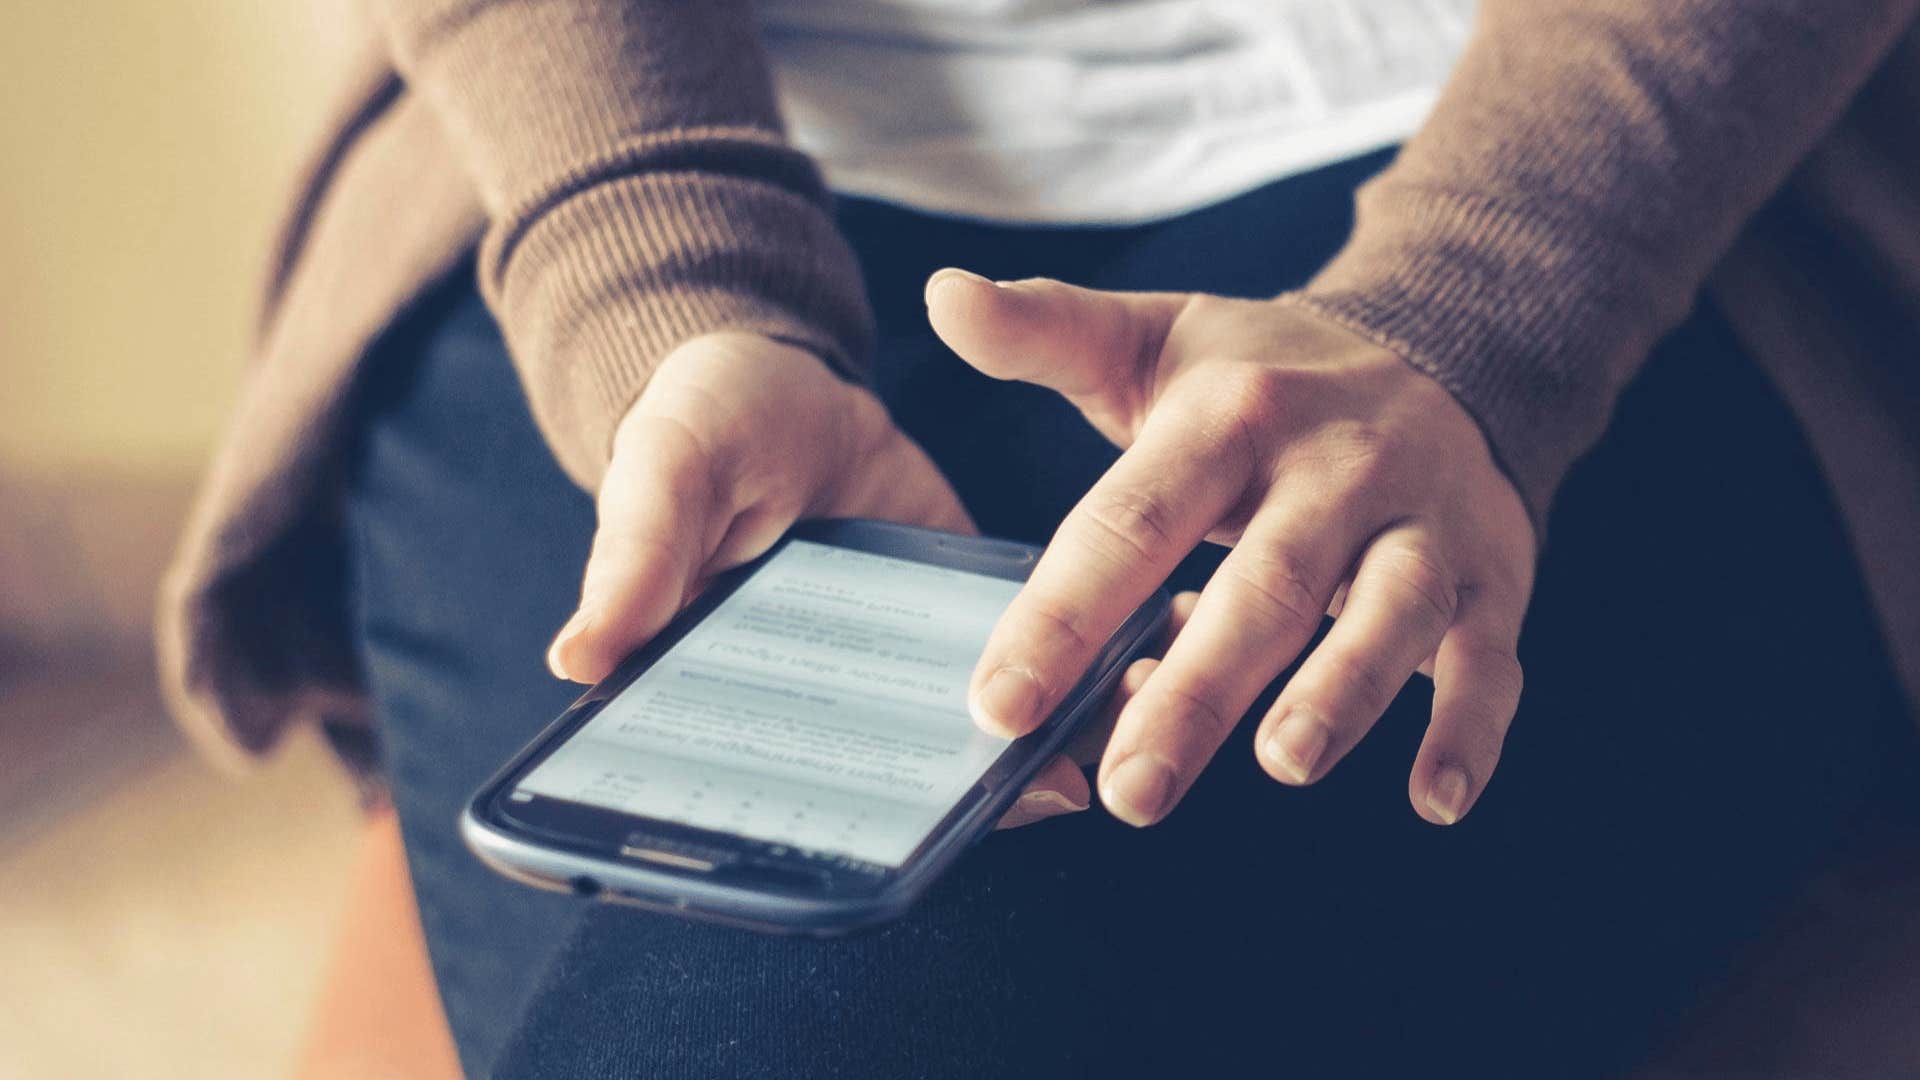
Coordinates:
[1589,172]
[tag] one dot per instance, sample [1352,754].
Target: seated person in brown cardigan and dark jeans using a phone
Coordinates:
[1368,408]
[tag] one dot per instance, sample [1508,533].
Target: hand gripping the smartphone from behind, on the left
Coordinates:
[734,439]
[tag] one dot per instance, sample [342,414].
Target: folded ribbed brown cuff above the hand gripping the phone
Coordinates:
[671,239]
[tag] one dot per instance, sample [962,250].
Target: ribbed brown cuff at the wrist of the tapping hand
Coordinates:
[1525,320]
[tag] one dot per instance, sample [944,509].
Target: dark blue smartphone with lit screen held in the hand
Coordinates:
[794,752]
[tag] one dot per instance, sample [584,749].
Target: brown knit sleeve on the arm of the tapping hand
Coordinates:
[1583,172]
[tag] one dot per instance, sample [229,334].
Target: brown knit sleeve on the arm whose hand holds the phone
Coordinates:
[638,191]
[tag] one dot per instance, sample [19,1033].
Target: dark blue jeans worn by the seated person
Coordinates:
[1708,714]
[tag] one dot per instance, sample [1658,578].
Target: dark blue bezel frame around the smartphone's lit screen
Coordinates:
[744,881]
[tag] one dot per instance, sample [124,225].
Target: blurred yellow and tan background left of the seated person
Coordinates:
[156,920]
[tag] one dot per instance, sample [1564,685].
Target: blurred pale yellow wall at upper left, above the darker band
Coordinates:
[149,149]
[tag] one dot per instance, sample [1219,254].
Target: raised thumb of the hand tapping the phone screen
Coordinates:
[1090,345]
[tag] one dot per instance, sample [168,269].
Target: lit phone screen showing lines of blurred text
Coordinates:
[821,706]
